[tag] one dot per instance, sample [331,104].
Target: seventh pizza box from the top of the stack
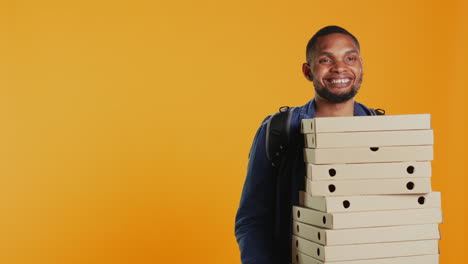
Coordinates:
[367,219]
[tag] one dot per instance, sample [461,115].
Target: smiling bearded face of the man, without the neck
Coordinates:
[336,68]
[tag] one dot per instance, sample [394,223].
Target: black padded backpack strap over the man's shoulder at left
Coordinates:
[277,137]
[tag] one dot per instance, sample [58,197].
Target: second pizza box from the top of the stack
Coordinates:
[370,139]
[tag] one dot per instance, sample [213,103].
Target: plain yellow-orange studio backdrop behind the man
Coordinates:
[125,125]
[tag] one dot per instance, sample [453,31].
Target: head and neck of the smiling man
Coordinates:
[334,65]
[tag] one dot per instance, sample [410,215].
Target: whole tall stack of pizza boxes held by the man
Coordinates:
[368,197]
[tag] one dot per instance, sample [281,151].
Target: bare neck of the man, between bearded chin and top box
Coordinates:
[324,108]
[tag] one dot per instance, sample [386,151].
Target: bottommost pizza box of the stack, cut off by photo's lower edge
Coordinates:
[301,258]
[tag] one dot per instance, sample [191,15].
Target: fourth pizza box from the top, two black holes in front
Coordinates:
[385,170]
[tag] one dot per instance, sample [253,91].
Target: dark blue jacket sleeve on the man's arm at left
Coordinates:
[254,227]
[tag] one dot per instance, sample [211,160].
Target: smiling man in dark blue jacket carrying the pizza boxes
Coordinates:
[263,221]
